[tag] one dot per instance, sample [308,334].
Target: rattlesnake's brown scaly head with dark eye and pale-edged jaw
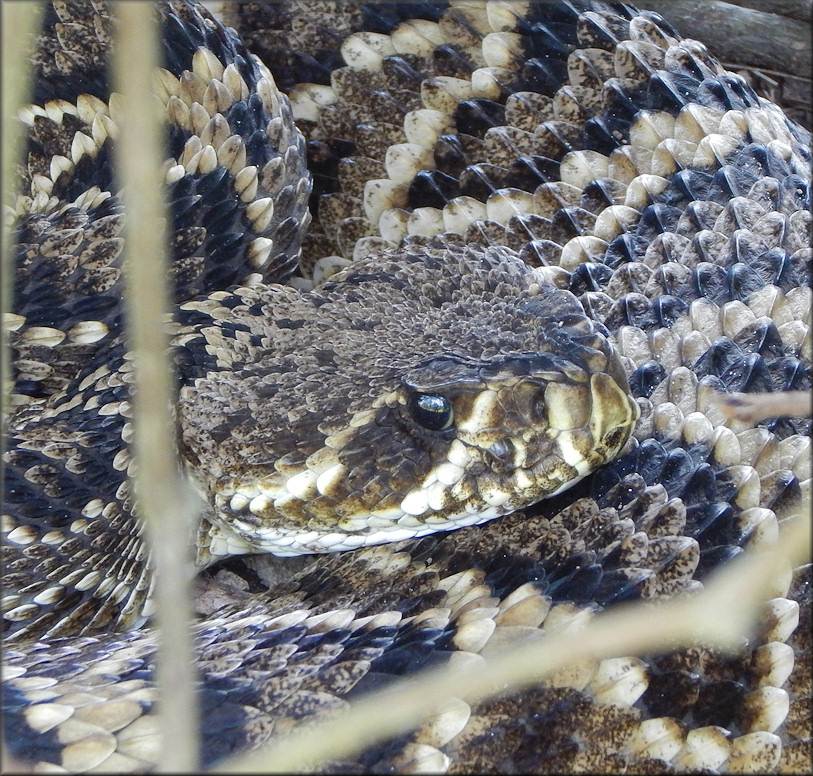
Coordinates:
[418,391]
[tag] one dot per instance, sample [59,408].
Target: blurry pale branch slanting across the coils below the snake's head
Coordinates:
[717,617]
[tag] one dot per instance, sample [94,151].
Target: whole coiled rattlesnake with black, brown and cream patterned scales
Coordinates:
[433,264]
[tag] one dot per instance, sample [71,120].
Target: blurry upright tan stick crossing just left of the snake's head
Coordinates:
[158,486]
